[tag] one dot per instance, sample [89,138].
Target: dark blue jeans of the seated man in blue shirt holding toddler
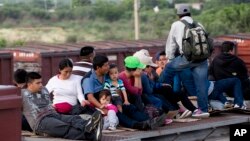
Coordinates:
[130,116]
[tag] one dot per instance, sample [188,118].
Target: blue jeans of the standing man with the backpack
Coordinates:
[199,73]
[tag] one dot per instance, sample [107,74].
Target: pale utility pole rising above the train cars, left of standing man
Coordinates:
[136,16]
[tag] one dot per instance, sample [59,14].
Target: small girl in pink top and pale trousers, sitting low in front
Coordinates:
[110,120]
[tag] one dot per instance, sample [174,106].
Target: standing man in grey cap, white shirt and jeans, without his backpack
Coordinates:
[179,62]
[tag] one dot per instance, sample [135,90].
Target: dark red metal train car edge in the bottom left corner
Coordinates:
[10,111]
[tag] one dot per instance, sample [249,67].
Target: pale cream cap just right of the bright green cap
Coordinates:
[147,60]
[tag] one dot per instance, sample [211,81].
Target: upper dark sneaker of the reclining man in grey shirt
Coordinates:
[93,121]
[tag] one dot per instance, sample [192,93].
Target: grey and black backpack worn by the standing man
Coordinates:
[196,45]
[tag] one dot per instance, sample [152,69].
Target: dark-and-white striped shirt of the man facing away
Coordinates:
[81,68]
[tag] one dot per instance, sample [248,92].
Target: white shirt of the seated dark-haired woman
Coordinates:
[69,90]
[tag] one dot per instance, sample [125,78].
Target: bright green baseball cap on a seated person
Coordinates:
[133,62]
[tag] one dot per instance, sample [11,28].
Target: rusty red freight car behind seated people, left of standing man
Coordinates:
[45,57]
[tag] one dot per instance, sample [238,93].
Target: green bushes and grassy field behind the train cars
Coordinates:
[112,20]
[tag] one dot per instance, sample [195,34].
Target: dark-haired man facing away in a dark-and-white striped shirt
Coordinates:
[87,54]
